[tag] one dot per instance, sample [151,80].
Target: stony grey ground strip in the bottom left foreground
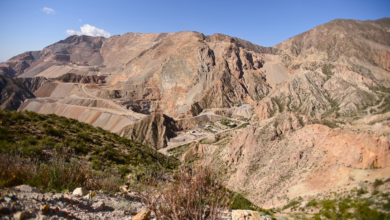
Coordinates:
[24,202]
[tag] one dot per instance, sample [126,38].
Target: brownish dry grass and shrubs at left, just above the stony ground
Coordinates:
[58,173]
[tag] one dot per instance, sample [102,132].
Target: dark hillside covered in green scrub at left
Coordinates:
[31,141]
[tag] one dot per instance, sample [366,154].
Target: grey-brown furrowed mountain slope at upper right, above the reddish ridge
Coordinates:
[337,67]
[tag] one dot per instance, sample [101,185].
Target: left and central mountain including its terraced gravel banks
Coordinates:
[141,74]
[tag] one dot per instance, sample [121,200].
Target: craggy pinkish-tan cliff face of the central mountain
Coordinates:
[186,67]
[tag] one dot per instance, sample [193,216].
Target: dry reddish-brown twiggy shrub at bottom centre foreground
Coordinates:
[193,194]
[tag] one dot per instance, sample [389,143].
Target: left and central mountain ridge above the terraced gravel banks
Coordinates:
[174,70]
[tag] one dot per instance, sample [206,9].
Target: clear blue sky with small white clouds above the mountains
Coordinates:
[32,25]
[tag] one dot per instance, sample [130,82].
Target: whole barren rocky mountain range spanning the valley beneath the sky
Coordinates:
[275,120]
